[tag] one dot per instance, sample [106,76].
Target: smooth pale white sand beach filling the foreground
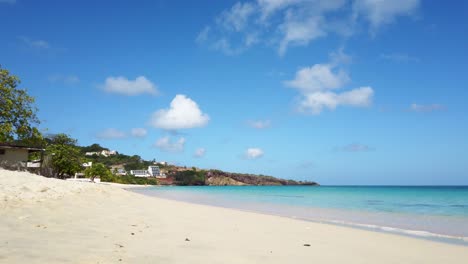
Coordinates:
[53,221]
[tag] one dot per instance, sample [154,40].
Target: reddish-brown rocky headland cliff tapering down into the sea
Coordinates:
[215,177]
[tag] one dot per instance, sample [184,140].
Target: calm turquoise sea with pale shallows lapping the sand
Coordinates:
[439,213]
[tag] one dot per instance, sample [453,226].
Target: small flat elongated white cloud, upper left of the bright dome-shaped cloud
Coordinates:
[122,85]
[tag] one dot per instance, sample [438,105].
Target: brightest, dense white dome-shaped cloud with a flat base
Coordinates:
[183,113]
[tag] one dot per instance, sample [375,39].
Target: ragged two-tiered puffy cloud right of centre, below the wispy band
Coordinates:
[319,87]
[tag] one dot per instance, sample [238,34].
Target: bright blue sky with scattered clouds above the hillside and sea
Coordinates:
[336,91]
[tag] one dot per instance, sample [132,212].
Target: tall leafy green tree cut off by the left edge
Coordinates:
[17,110]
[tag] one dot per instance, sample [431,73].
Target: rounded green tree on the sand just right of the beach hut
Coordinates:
[65,156]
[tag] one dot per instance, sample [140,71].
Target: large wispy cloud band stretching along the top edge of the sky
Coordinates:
[287,23]
